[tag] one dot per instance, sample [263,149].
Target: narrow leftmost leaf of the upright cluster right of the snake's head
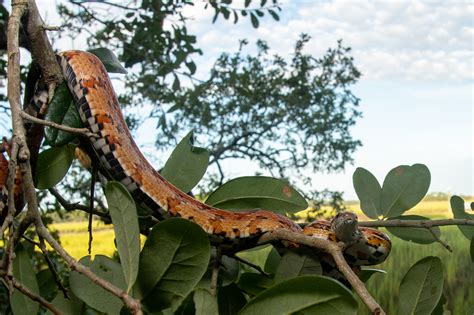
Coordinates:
[368,191]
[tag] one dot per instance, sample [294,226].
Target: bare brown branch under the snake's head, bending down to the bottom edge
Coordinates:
[335,250]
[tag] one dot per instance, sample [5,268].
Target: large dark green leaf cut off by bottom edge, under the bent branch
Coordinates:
[304,295]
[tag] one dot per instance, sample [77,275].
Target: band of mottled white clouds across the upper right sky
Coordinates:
[419,40]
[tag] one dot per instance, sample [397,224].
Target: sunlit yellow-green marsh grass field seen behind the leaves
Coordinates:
[458,268]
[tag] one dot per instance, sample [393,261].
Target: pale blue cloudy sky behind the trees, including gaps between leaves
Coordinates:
[417,85]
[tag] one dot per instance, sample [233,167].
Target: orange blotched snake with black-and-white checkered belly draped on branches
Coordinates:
[120,159]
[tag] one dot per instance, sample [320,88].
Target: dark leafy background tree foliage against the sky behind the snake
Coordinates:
[291,117]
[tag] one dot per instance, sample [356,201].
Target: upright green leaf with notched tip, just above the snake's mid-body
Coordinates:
[186,165]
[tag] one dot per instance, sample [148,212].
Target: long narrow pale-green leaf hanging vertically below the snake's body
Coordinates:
[127,234]
